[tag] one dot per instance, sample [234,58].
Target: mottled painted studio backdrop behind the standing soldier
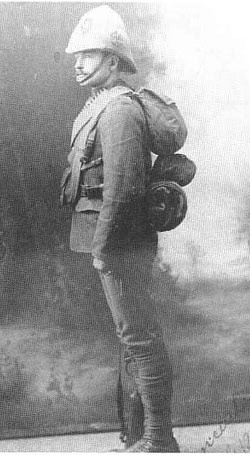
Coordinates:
[58,348]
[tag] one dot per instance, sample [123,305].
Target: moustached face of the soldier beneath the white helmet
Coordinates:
[91,69]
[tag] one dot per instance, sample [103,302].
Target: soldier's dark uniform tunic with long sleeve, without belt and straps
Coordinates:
[107,224]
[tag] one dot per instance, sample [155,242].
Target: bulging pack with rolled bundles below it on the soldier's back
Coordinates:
[166,200]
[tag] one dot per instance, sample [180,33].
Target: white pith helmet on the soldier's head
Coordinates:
[102,29]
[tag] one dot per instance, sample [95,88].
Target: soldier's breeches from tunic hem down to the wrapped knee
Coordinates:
[126,291]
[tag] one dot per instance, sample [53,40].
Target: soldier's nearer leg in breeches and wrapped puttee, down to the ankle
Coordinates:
[138,329]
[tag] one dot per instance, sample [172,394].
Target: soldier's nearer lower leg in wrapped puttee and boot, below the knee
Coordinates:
[154,382]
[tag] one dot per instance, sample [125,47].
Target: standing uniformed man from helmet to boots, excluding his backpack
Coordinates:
[106,182]
